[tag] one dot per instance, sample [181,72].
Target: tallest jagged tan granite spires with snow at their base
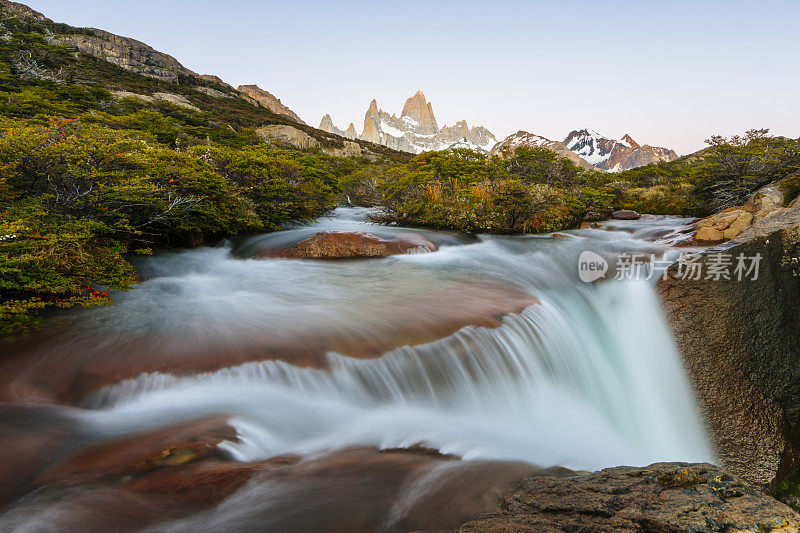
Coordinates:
[416,129]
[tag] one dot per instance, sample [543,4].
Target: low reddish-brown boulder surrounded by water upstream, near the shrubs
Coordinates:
[340,244]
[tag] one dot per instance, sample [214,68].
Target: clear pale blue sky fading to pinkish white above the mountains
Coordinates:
[670,73]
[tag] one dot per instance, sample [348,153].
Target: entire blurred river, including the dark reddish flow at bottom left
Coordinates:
[490,349]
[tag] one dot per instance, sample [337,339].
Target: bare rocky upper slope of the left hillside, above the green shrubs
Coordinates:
[133,70]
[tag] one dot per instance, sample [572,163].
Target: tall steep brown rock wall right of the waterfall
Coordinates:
[740,343]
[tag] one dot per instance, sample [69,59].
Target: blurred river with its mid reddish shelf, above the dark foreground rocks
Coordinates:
[490,349]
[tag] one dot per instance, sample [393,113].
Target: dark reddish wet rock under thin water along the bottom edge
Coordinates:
[353,490]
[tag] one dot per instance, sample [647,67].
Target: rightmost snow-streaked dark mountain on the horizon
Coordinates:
[614,155]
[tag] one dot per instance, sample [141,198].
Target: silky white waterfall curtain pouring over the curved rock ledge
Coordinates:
[586,378]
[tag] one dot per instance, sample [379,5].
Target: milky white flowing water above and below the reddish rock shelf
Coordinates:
[587,378]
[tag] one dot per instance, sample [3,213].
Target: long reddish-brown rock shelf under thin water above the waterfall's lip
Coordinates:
[67,370]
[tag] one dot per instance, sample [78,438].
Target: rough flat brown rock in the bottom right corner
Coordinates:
[664,497]
